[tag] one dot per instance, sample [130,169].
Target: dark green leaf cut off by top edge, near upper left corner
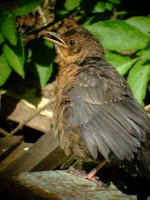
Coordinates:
[26,6]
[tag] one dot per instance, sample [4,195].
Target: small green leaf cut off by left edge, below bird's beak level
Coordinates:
[5,70]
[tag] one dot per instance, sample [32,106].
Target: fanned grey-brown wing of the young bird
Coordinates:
[108,118]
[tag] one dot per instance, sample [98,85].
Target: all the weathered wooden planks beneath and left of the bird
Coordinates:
[30,170]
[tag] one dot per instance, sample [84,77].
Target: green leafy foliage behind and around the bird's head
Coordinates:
[124,35]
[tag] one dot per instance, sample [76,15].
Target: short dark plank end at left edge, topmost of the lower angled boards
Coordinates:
[7,144]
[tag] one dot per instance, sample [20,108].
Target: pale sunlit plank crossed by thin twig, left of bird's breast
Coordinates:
[18,111]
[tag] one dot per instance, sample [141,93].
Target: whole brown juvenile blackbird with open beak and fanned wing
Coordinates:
[95,111]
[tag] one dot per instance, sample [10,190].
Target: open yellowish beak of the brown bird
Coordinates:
[55,37]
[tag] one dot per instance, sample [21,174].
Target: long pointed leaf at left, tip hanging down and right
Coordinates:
[14,58]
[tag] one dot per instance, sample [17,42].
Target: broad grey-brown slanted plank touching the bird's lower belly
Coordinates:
[43,155]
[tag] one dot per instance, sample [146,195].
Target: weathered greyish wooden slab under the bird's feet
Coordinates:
[61,185]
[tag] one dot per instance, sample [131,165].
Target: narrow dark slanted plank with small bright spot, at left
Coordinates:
[15,154]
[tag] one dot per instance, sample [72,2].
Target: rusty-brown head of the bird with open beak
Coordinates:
[75,45]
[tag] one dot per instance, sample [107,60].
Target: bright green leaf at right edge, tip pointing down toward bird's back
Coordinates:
[138,79]
